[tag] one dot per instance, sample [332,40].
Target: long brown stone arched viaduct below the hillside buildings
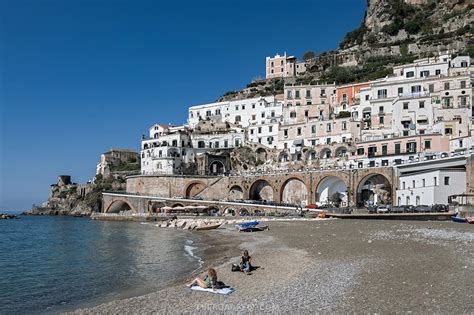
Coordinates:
[275,192]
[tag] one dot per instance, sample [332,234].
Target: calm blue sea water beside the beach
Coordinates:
[50,264]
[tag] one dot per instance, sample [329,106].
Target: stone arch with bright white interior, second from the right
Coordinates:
[328,187]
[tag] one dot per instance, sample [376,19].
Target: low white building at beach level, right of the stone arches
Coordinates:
[430,187]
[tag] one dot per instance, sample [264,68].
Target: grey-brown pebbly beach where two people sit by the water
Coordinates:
[330,266]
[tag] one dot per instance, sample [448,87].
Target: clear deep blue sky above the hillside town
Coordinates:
[79,77]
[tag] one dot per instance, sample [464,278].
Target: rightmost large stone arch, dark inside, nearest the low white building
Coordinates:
[374,188]
